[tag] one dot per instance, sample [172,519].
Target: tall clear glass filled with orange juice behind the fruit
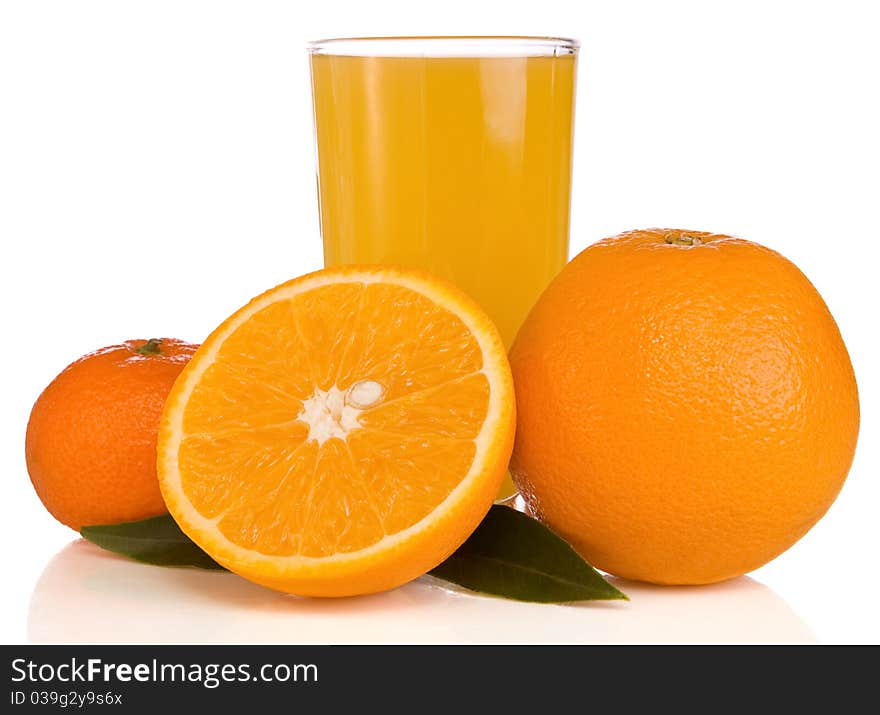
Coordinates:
[452,154]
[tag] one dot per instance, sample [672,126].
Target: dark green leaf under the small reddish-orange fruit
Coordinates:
[156,541]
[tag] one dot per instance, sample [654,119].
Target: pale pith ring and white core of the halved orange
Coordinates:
[318,413]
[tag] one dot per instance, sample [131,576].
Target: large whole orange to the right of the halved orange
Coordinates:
[687,409]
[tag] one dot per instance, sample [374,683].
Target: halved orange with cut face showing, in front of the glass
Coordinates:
[343,433]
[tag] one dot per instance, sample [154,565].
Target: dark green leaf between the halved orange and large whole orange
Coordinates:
[516,557]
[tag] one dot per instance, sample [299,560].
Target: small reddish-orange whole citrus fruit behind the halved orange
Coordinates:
[91,437]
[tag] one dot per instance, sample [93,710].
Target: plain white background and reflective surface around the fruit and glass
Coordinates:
[156,171]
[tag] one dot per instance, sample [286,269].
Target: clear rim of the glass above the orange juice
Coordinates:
[445,46]
